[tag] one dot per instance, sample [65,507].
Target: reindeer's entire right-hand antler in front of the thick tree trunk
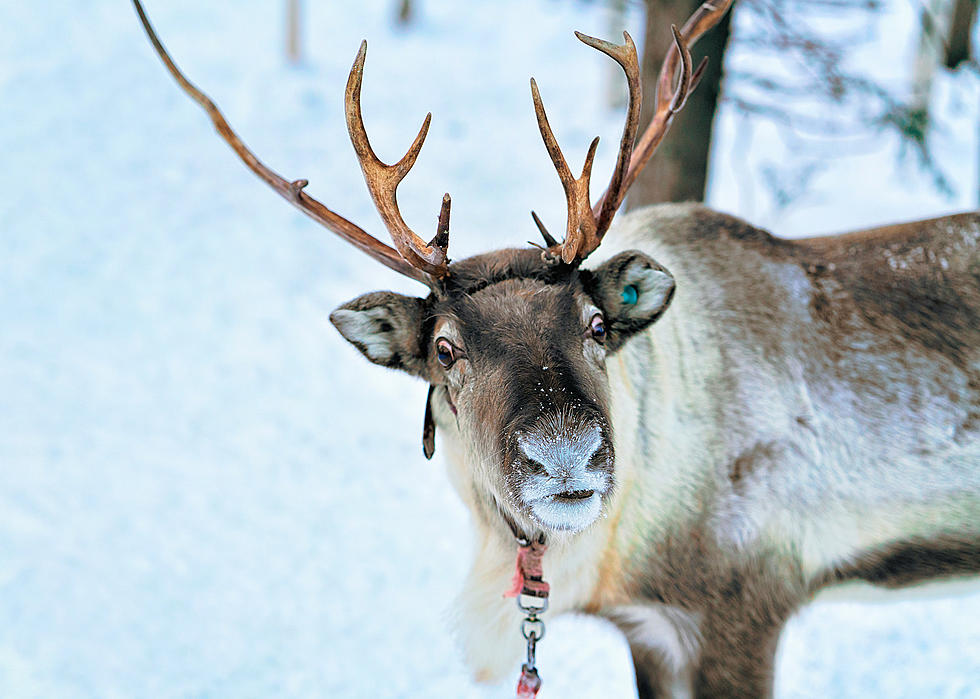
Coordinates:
[586,224]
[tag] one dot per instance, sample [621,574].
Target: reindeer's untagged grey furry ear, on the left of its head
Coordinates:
[385,327]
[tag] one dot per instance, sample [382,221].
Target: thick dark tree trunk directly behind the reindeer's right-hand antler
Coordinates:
[678,171]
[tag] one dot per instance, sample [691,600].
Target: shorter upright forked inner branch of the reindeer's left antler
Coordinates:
[383,179]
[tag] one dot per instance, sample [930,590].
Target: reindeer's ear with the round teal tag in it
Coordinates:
[633,290]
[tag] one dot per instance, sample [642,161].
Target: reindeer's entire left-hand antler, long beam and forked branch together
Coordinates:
[413,258]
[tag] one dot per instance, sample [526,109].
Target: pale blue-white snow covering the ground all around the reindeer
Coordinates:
[203,490]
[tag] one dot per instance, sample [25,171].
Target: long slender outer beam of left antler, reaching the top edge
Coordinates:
[292,191]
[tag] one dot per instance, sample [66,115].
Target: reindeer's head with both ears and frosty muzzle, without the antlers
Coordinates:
[516,350]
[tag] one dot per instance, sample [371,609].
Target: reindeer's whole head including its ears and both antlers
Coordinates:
[513,343]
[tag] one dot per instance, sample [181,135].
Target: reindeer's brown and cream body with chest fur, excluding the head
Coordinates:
[806,412]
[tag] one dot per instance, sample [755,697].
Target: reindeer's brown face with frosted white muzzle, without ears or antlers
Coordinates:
[529,388]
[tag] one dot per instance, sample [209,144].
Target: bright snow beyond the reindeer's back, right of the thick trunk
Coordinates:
[860,182]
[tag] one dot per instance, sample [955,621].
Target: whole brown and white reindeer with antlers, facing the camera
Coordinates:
[706,423]
